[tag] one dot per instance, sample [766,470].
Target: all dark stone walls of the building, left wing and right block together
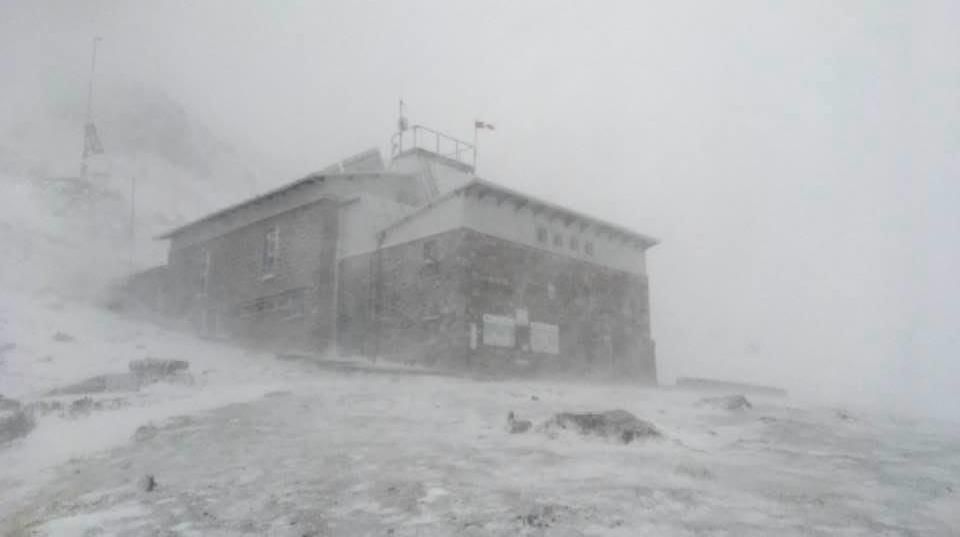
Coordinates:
[422,301]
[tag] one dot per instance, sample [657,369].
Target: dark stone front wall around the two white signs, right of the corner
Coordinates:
[602,315]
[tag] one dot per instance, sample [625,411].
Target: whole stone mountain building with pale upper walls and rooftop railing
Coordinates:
[419,261]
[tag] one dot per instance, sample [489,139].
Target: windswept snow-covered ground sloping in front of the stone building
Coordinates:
[262,446]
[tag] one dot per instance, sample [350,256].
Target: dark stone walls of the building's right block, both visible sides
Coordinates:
[420,301]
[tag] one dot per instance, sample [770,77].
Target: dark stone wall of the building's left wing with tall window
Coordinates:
[293,305]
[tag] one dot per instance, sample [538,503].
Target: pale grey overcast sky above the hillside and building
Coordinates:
[799,160]
